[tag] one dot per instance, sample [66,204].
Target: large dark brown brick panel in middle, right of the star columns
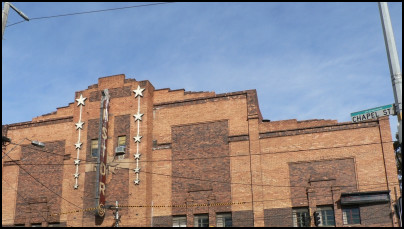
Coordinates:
[201,170]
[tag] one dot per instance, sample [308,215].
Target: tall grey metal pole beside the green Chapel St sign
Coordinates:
[394,65]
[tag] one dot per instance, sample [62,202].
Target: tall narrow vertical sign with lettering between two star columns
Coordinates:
[102,155]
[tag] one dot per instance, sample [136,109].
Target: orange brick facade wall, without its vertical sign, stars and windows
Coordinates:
[253,161]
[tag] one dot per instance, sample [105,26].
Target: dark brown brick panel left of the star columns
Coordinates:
[31,205]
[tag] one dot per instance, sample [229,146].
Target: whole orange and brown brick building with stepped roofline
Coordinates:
[198,158]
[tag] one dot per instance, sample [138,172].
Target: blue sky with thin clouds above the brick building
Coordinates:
[306,60]
